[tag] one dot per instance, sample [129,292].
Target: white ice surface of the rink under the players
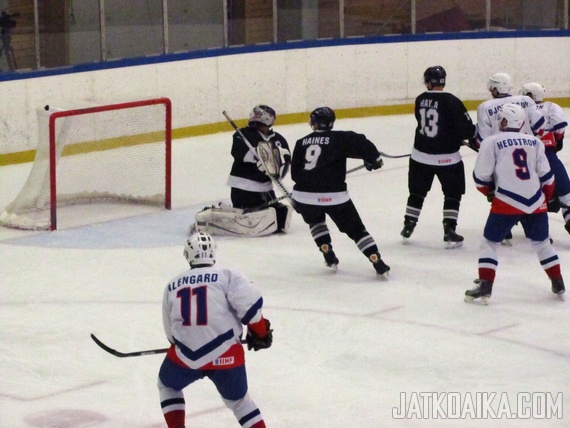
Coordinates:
[349,350]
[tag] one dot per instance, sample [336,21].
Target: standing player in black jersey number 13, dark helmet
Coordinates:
[442,125]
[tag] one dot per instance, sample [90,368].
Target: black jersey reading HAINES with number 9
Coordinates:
[319,159]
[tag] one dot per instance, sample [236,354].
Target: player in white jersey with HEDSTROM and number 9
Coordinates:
[513,171]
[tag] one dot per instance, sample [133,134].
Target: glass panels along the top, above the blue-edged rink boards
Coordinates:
[53,33]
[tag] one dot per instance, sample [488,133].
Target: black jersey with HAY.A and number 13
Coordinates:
[443,123]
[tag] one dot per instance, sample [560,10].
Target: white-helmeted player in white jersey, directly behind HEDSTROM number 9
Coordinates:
[500,87]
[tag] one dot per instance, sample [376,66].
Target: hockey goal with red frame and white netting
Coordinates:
[107,153]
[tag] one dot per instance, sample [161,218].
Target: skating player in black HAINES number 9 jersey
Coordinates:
[318,169]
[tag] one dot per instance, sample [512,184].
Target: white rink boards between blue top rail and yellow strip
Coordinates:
[291,81]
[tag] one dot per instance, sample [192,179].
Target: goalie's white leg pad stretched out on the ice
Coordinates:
[224,220]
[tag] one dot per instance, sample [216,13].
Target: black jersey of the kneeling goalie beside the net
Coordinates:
[245,163]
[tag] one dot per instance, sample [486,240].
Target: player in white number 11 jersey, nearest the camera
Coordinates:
[204,310]
